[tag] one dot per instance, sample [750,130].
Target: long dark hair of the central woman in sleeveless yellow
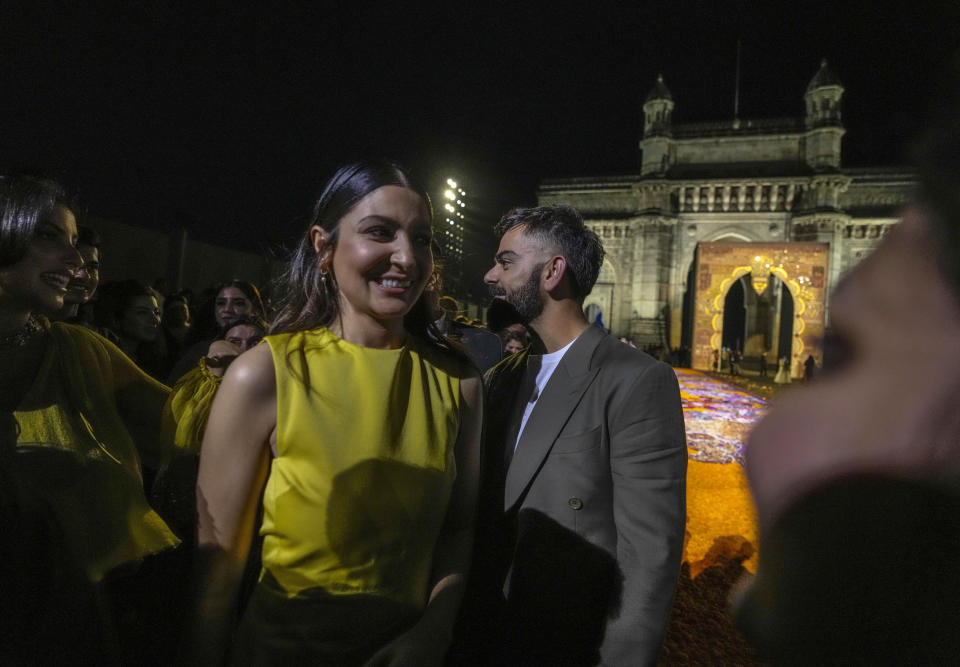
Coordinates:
[306,300]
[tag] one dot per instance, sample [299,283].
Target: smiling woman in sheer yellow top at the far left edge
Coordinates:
[79,418]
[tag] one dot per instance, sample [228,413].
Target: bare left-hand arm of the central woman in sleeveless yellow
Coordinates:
[234,462]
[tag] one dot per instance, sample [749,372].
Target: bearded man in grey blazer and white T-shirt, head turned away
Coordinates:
[585,465]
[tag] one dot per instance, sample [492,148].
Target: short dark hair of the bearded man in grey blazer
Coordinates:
[562,227]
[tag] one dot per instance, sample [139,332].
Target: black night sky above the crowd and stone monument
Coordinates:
[228,121]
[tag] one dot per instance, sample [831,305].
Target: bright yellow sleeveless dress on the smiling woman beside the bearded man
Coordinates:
[355,498]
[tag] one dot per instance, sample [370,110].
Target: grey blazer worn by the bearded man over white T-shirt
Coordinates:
[591,522]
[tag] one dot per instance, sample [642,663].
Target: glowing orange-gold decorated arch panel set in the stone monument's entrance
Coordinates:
[802,267]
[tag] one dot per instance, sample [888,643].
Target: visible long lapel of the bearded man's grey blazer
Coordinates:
[560,398]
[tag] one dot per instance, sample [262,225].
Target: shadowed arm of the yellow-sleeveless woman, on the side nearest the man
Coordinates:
[428,641]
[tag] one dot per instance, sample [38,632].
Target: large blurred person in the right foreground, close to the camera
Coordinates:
[856,476]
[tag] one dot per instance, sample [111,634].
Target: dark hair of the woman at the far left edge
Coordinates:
[24,202]
